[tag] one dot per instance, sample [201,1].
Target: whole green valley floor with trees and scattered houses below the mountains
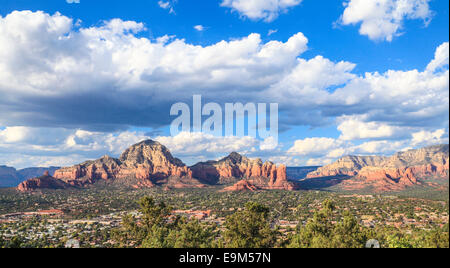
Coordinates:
[238,220]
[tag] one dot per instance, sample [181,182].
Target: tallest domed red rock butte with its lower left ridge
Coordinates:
[143,165]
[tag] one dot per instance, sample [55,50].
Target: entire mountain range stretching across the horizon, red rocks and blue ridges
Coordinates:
[150,164]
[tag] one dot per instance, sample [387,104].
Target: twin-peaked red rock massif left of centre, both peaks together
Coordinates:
[150,163]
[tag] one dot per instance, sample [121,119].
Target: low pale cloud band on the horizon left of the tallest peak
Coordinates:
[25,146]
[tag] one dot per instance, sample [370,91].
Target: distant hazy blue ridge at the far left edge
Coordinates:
[10,177]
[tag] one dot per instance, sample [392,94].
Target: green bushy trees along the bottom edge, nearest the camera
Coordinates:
[251,228]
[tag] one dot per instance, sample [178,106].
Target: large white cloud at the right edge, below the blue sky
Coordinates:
[395,98]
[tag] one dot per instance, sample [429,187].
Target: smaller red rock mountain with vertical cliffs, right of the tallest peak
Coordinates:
[235,168]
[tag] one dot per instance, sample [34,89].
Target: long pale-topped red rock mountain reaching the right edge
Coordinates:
[395,173]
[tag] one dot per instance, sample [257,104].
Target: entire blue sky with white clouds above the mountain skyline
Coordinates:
[81,80]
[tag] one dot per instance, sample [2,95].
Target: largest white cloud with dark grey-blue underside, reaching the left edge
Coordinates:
[105,78]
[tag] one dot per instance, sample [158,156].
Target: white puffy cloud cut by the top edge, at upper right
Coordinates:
[383,19]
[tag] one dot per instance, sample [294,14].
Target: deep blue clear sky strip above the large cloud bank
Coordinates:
[310,17]
